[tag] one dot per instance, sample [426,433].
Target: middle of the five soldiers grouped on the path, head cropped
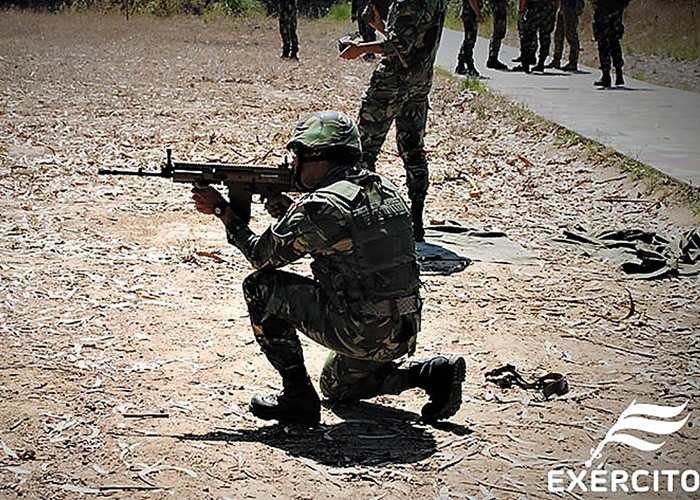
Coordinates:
[537,17]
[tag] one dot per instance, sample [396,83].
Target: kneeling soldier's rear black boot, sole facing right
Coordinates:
[441,377]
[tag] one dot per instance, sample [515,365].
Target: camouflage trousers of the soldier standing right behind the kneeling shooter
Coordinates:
[395,98]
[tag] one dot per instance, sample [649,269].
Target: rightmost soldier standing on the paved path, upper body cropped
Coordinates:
[608,30]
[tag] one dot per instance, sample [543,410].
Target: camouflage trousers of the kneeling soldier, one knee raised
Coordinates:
[361,363]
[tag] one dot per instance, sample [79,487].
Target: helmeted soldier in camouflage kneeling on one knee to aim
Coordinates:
[363,302]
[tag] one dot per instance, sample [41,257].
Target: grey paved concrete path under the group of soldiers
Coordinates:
[656,125]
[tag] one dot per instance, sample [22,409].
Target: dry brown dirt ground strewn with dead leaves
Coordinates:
[117,299]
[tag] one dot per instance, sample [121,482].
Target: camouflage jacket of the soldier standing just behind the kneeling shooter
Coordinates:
[413,30]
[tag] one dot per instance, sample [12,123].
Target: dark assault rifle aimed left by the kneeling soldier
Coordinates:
[242,181]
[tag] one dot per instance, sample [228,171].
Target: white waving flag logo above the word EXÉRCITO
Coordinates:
[635,418]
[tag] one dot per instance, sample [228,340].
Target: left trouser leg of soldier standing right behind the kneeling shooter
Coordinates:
[377,111]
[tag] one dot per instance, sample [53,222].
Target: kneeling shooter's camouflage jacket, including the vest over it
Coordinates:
[357,229]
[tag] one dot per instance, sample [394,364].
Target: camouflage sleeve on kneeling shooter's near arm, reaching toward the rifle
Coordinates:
[307,227]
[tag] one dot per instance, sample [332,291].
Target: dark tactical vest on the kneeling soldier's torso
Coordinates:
[381,265]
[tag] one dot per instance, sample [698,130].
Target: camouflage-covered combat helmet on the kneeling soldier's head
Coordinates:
[326,129]
